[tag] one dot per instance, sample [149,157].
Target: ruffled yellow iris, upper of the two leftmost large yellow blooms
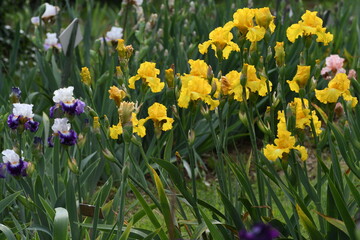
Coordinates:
[148,73]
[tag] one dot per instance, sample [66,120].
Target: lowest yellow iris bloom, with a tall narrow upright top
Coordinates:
[283,143]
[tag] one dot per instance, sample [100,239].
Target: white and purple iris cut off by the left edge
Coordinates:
[13,163]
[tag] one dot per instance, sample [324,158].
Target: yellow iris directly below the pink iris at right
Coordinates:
[338,86]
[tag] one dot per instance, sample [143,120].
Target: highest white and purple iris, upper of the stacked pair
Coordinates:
[63,98]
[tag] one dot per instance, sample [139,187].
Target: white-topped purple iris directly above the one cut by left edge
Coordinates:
[22,116]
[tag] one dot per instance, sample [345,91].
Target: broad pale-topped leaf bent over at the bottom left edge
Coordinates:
[61,222]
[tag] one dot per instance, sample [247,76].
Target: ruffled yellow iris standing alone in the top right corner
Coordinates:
[309,25]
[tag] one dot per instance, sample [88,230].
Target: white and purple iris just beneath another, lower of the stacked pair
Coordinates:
[62,128]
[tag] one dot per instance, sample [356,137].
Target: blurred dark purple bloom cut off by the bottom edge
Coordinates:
[259,231]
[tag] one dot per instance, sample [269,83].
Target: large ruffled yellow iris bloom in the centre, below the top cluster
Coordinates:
[195,86]
